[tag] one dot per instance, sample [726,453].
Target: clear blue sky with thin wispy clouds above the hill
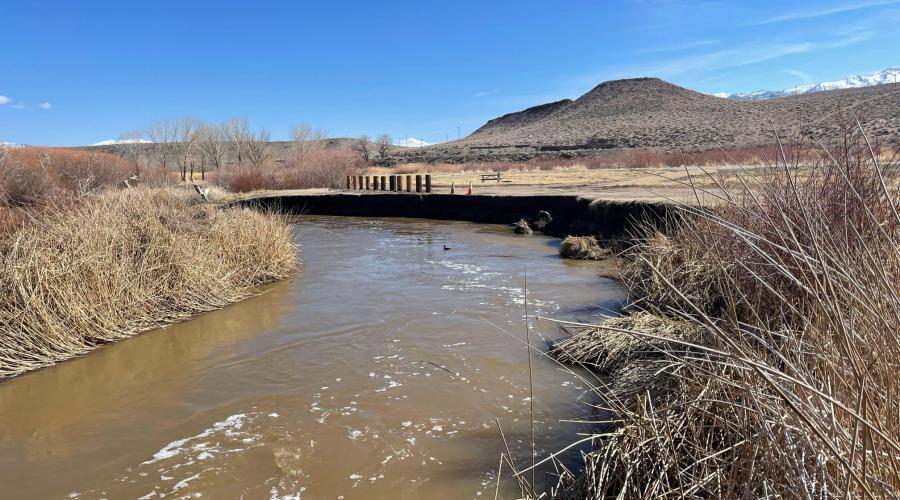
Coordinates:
[78,72]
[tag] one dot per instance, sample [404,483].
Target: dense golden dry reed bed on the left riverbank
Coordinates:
[114,264]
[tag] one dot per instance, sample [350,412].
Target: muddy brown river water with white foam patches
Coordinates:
[327,385]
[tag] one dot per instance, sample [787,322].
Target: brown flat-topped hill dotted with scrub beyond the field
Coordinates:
[649,113]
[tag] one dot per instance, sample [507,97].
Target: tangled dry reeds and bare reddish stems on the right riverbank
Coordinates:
[760,357]
